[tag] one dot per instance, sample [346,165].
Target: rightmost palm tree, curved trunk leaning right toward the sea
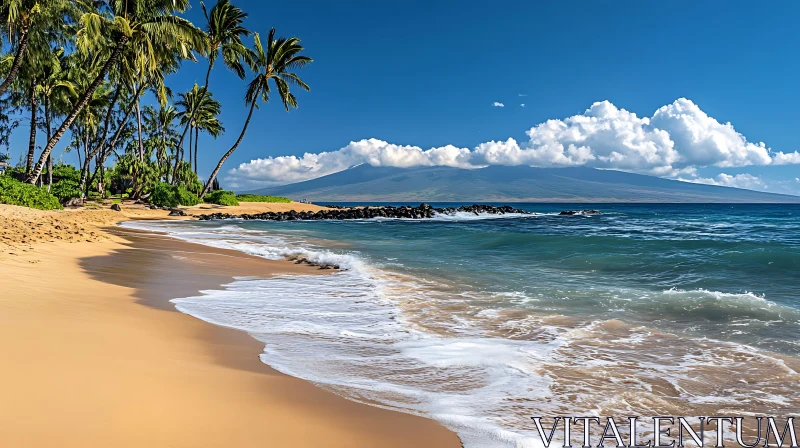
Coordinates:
[277,63]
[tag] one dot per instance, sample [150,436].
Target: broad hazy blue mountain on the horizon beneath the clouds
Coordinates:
[366,183]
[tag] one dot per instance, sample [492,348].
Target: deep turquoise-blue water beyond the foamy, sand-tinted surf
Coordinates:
[703,269]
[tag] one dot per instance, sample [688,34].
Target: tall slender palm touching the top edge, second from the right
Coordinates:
[225,32]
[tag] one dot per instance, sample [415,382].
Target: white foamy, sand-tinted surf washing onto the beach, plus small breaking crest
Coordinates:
[481,367]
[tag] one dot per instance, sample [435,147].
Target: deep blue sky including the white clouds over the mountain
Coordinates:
[698,91]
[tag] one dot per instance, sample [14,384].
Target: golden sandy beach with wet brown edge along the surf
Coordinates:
[96,356]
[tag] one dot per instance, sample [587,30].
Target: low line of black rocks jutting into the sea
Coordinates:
[423,211]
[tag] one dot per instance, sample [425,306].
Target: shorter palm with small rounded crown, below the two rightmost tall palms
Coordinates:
[200,112]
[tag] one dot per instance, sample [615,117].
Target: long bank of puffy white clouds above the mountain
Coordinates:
[677,140]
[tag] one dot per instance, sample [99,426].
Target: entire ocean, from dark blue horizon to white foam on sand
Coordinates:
[481,322]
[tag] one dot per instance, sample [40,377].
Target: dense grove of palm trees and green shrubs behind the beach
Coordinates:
[89,80]
